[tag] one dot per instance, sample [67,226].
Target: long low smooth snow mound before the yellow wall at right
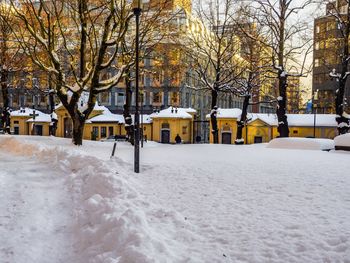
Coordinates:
[301,143]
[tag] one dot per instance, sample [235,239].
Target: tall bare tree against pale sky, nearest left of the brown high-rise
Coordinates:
[286,36]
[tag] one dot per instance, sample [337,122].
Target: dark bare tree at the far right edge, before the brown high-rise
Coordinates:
[340,11]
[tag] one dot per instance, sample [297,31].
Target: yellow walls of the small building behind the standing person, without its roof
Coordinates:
[176,126]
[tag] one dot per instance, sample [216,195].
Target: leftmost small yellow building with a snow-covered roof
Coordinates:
[28,121]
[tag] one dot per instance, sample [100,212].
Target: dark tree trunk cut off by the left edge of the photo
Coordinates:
[6,115]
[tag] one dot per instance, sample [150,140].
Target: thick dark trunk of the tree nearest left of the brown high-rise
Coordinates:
[283,129]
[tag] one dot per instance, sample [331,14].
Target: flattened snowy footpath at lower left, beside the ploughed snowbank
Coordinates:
[36,214]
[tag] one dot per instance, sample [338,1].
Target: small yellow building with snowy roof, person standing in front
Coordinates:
[169,123]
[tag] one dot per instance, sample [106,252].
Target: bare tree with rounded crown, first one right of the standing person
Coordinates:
[213,51]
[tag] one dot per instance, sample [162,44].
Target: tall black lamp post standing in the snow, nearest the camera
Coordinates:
[137,13]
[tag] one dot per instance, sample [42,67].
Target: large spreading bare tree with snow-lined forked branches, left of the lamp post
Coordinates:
[78,43]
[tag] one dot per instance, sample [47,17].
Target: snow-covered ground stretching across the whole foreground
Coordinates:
[190,203]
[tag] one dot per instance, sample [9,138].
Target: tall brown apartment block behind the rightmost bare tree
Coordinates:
[327,56]
